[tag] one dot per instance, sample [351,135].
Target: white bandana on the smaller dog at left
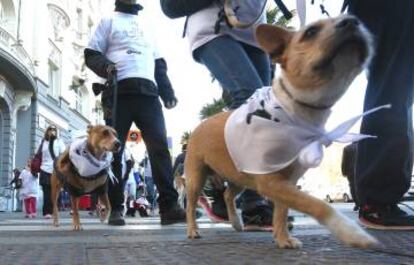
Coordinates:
[86,164]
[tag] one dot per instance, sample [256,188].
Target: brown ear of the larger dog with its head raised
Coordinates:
[273,40]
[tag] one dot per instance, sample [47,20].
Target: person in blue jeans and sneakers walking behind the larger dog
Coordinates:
[234,58]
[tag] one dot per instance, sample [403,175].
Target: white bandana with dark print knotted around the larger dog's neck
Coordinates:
[262,137]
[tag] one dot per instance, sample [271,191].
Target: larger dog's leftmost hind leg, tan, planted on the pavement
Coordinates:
[196,175]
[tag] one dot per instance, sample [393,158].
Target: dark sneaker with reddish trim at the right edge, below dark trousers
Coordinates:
[385,218]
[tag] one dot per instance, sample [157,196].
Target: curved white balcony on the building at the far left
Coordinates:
[15,49]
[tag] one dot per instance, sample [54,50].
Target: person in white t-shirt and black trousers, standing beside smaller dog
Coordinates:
[122,44]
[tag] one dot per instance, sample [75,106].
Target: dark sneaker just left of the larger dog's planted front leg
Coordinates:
[258,219]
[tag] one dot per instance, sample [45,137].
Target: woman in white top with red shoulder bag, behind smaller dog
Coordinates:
[50,147]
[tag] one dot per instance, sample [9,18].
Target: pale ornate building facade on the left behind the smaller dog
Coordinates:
[43,78]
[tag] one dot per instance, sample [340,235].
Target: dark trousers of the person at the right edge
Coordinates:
[384,165]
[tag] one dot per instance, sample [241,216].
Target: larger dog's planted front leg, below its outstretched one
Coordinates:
[280,230]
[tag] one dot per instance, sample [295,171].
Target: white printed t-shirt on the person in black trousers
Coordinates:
[126,40]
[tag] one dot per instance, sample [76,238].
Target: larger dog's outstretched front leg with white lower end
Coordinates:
[340,226]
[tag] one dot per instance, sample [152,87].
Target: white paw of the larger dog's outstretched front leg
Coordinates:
[350,233]
